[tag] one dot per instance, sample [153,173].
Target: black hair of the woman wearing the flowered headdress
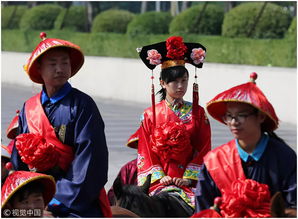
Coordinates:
[171,74]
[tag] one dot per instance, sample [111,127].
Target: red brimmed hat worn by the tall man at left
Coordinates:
[76,56]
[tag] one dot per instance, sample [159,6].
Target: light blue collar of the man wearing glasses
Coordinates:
[257,153]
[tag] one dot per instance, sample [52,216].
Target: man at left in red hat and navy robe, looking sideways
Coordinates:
[61,133]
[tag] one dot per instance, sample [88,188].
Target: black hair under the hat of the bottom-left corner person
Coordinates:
[25,191]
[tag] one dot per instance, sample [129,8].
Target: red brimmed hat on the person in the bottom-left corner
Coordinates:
[18,179]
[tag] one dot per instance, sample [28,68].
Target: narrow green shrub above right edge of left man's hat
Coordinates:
[73,18]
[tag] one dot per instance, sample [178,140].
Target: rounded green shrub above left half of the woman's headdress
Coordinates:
[150,23]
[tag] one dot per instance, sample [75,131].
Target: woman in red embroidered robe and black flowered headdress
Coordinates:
[174,134]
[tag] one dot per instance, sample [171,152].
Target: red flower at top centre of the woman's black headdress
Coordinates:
[176,48]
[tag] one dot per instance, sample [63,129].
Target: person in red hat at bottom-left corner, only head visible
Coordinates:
[26,194]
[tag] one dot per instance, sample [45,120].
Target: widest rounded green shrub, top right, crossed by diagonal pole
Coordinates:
[273,23]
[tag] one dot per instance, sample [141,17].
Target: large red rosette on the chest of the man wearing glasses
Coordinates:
[247,198]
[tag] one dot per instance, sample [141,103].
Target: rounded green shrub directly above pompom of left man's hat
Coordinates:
[41,17]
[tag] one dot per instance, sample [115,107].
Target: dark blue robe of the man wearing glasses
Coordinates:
[277,168]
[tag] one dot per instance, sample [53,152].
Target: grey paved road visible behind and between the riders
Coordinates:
[121,120]
